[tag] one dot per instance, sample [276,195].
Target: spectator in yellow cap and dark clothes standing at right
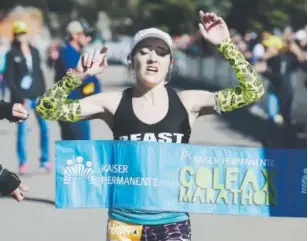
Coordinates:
[278,60]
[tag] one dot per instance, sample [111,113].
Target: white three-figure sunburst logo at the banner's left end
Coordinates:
[78,168]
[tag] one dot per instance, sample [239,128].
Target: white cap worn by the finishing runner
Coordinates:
[152,33]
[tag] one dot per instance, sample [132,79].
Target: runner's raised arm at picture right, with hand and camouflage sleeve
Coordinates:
[250,87]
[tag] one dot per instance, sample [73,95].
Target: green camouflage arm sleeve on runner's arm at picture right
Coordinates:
[250,88]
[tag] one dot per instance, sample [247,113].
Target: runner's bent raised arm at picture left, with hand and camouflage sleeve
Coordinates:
[54,105]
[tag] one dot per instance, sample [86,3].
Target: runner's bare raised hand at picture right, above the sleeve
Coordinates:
[213,28]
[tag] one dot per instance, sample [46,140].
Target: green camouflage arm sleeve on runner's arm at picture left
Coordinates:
[54,105]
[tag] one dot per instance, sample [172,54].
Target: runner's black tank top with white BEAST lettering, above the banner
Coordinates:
[174,127]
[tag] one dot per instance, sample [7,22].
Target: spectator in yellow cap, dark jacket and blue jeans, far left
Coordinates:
[26,83]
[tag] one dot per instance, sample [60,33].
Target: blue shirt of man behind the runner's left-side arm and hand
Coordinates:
[69,57]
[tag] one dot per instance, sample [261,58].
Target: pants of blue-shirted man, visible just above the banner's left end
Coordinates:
[75,131]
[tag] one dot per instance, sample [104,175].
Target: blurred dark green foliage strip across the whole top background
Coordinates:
[181,16]
